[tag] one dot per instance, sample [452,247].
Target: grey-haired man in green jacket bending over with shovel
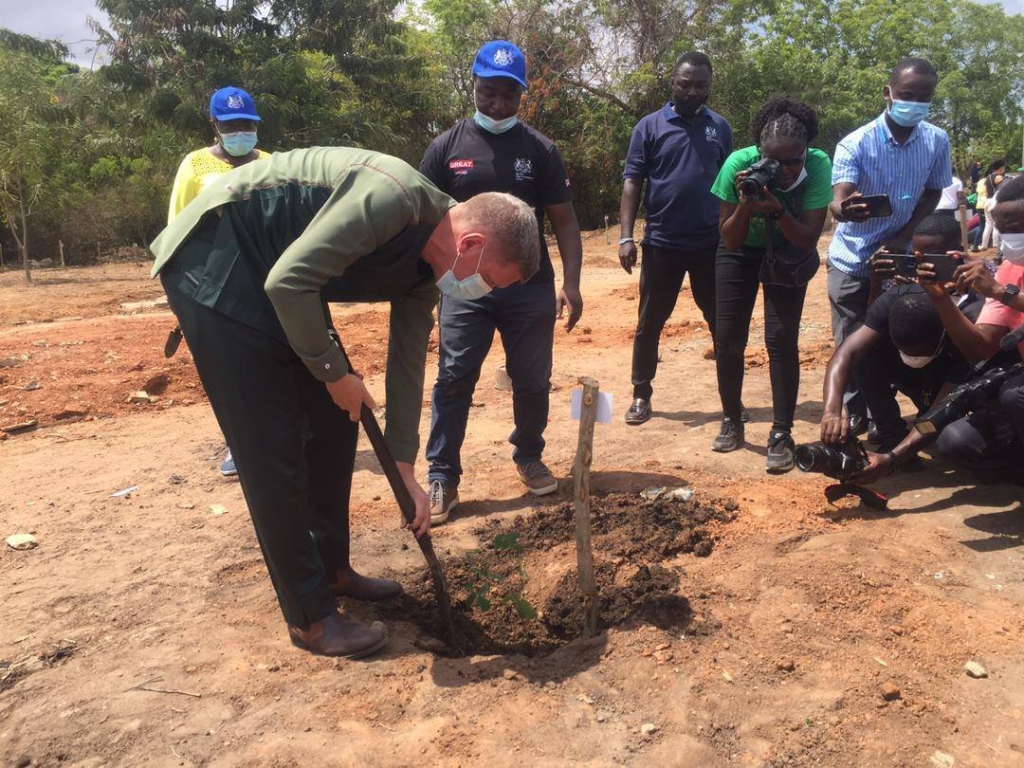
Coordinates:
[248,269]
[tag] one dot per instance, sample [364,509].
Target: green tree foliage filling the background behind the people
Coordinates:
[97,151]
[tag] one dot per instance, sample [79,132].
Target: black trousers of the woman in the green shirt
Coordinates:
[739,277]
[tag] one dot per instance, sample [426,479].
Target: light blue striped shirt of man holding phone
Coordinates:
[873,160]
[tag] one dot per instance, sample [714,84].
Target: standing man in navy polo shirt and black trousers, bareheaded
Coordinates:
[679,151]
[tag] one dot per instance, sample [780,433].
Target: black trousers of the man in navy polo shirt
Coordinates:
[662,274]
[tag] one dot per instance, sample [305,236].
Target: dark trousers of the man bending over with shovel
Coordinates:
[294,450]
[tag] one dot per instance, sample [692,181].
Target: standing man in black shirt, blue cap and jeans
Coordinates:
[493,152]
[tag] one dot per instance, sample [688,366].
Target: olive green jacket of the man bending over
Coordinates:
[270,243]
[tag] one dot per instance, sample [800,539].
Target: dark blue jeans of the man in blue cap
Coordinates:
[525,316]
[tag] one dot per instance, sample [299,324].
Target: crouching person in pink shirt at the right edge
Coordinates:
[991,439]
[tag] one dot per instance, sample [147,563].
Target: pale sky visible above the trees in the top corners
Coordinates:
[65,20]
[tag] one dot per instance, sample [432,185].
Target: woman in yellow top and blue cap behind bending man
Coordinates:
[233,114]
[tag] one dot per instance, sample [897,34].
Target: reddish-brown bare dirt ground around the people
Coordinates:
[144,630]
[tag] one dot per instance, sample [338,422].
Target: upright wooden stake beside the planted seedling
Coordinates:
[581,481]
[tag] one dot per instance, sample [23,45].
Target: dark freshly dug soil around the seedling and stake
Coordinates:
[499,609]
